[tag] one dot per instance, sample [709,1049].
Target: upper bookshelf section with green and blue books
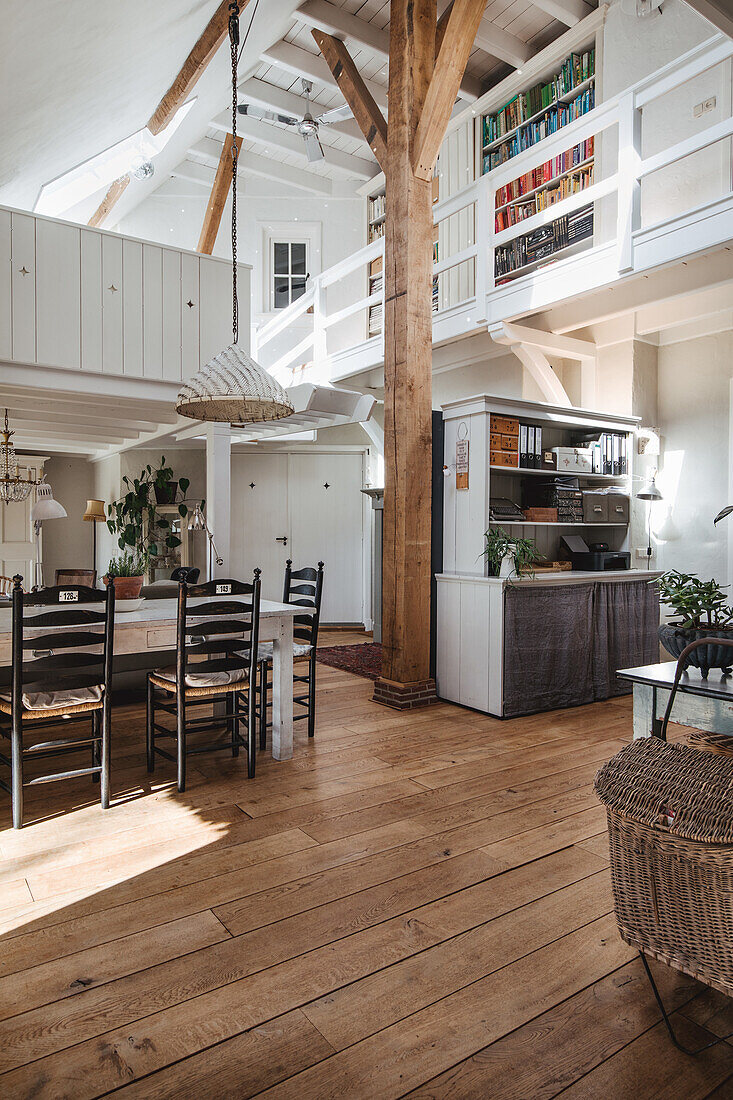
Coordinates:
[539,112]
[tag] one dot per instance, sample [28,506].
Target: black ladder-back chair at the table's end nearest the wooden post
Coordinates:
[304,588]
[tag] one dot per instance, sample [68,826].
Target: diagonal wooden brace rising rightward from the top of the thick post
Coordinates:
[451,64]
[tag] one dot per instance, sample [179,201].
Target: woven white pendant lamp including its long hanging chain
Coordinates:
[232,388]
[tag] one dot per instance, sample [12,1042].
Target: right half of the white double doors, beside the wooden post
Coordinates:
[326,525]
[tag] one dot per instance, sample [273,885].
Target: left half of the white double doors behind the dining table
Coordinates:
[260,520]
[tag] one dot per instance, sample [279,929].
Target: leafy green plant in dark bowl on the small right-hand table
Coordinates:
[702,611]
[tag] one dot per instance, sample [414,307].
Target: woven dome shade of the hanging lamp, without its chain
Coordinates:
[234,389]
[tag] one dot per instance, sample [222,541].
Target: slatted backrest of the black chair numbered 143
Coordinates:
[222,634]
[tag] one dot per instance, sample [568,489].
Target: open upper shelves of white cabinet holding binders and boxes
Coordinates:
[518,455]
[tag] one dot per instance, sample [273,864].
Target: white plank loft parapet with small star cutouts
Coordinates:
[80,299]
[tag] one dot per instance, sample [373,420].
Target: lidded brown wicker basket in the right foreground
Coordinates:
[671,830]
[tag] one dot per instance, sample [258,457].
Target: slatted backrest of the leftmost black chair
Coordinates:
[61,659]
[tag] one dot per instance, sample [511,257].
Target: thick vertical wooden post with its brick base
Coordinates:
[406,680]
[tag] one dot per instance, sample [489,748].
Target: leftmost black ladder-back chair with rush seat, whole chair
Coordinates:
[57,676]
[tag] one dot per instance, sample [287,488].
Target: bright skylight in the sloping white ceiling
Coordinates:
[87,179]
